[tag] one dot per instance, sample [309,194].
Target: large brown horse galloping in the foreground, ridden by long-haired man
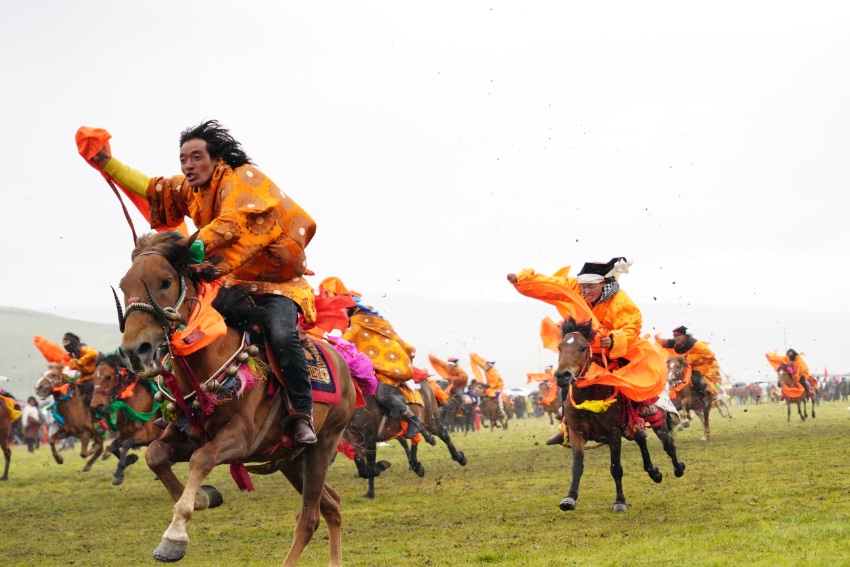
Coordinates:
[242,422]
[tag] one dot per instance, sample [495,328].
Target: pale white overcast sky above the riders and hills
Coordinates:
[441,145]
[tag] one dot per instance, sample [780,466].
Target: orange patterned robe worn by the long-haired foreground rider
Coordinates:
[252,230]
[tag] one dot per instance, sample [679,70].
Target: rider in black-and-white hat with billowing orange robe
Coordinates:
[633,365]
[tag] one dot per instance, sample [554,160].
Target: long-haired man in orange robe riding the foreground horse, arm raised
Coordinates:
[251,232]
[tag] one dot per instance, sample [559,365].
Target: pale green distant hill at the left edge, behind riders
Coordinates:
[22,363]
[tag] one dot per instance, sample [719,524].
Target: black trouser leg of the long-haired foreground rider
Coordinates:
[282,334]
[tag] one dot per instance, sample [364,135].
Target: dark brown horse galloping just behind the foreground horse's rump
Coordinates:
[370,426]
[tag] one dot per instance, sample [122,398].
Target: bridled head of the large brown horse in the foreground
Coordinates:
[158,276]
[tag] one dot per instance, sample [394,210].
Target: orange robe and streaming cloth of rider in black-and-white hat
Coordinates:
[618,317]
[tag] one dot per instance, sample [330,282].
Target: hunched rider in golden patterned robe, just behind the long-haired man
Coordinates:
[391,357]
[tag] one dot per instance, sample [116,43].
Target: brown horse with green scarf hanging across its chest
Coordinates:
[126,403]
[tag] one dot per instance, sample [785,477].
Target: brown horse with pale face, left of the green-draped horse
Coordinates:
[75,419]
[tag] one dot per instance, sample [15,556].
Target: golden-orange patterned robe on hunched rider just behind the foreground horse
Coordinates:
[391,357]
